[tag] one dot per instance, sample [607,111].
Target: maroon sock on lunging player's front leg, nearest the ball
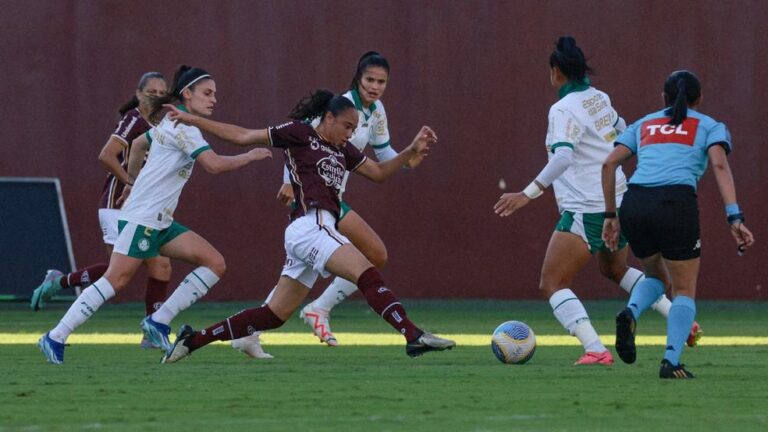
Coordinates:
[384,302]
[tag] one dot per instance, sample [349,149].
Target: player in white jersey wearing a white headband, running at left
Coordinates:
[146,224]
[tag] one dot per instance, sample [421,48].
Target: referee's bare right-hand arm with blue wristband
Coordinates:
[724,178]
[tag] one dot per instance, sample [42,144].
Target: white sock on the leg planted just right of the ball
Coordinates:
[570,312]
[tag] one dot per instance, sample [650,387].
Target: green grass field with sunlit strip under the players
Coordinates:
[369,384]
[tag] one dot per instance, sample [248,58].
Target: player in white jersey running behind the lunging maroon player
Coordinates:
[367,88]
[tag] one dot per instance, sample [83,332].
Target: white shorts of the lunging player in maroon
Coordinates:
[309,243]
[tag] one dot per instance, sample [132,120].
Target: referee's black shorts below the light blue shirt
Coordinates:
[661,219]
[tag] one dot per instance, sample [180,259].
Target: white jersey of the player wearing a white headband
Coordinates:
[170,161]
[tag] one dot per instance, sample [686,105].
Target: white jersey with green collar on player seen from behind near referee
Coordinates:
[584,120]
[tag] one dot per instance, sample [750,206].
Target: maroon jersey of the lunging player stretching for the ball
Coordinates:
[316,167]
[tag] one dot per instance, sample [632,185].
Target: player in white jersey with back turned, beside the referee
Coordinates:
[582,128]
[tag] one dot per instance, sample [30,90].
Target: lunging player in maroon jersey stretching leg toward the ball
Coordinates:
[317,159]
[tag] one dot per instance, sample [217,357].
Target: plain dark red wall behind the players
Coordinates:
[475,71]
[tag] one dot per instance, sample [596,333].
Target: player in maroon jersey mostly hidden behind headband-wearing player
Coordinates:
[114,156]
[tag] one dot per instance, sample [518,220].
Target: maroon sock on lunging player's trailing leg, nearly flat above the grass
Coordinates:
[238,325]
